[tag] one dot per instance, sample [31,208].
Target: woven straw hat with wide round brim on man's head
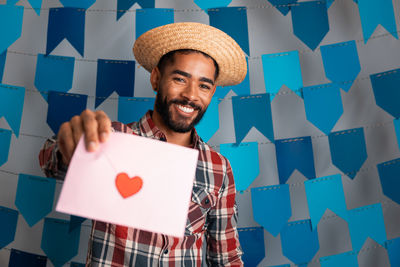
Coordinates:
[152,45]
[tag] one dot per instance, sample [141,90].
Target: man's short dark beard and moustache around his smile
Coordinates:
[163,108]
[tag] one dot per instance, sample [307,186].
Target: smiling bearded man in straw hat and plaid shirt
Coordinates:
[187,61]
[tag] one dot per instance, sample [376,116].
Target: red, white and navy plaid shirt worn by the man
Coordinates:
[212,215]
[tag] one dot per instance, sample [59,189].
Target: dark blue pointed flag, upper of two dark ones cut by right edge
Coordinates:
[386,90]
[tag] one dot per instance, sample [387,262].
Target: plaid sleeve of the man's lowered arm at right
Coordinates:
[223,248]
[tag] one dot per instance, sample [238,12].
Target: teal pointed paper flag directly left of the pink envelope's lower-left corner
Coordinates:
[32,207]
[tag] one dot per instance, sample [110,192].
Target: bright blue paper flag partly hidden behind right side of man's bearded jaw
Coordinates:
[209,124]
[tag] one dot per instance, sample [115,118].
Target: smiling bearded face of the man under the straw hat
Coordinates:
[185,88]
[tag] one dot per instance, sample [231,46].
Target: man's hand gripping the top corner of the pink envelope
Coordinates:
[95,126]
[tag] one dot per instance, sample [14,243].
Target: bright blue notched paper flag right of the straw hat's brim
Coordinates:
[282,69]
